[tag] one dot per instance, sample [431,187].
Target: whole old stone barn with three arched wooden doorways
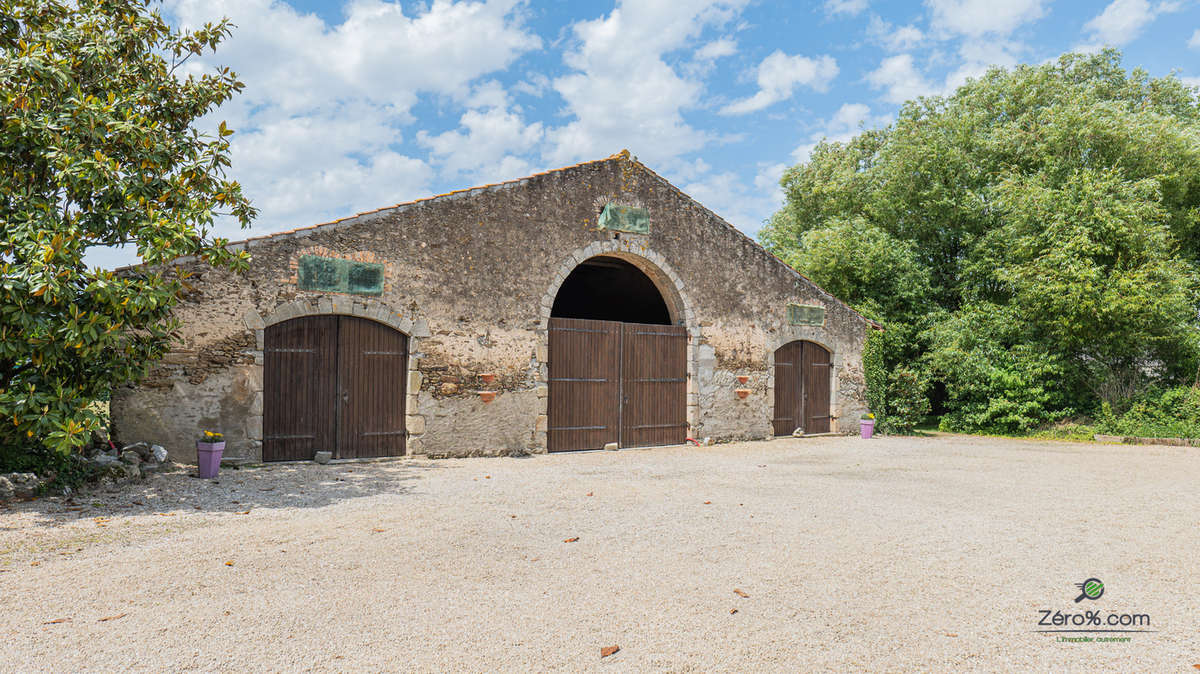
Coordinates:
[565,311]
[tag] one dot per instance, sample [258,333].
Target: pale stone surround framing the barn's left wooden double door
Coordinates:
[341,305]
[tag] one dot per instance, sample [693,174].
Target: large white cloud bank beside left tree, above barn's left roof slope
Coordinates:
[320,122]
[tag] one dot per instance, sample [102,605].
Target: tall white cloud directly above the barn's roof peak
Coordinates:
[622,92]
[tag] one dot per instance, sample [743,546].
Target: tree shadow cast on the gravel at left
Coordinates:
[235,491]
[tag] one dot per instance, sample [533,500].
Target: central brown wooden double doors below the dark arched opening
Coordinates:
[616,383]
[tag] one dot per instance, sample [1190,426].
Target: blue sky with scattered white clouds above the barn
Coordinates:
[356,106]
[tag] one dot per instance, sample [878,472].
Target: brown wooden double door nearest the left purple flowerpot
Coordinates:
[334,383]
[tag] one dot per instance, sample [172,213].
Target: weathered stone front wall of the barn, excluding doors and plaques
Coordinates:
[471,278]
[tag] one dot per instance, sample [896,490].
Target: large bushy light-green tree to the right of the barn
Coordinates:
[1063,200]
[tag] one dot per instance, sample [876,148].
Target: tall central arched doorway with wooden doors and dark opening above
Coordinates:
[619,366]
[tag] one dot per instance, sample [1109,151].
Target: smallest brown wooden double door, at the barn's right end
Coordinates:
[803,371]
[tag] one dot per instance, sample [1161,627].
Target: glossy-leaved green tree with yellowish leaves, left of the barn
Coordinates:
[99,148]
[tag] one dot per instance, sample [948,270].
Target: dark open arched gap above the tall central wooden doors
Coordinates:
[605,288]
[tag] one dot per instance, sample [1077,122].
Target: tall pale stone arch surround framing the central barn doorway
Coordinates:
[638,252]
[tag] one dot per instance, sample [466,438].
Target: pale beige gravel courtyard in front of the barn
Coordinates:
[891,555]
